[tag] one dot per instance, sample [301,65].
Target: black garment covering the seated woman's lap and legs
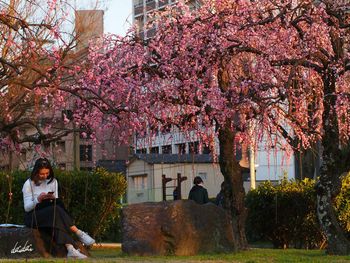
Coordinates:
[44,218]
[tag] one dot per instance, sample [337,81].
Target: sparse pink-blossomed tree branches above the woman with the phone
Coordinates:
[36,61]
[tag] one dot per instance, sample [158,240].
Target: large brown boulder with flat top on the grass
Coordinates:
[175,228]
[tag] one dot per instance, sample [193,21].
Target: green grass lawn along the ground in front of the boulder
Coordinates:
[251,256]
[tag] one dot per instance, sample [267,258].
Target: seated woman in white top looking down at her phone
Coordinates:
[45,211]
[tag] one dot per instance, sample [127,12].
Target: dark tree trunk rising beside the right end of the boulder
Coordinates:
[234,191]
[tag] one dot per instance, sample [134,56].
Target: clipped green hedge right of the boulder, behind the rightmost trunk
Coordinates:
[285,214]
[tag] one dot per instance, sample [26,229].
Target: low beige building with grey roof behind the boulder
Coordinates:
[144,175]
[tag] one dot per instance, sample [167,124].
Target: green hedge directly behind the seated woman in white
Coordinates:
[92,198]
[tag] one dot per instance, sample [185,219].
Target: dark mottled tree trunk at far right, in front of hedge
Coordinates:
[329,183]
